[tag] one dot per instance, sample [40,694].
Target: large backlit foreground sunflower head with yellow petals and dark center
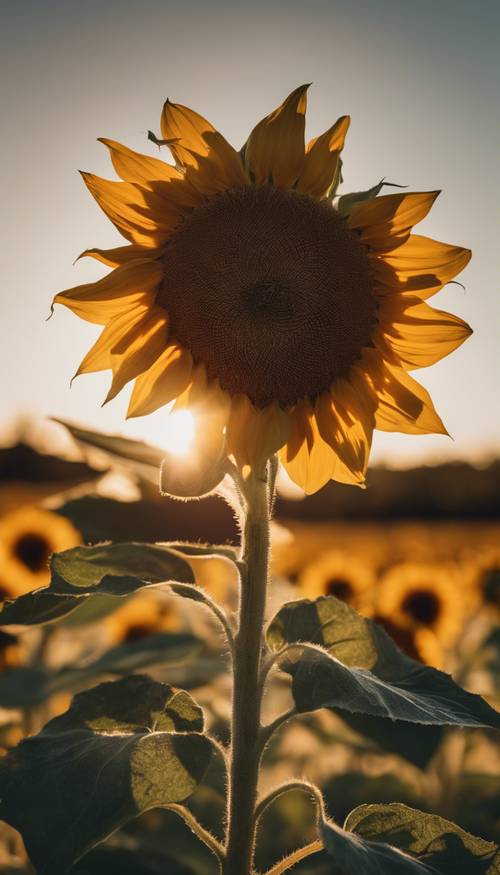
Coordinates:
[287,319]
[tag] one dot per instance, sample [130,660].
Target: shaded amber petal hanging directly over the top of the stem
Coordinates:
[253,434]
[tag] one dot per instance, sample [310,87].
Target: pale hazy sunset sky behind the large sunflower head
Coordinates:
[420,81]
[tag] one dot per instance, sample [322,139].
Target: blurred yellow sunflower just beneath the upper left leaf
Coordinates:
[141,615]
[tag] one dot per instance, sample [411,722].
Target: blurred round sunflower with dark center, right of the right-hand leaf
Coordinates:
[424,606]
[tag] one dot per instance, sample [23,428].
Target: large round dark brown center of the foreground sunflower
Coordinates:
[271,291]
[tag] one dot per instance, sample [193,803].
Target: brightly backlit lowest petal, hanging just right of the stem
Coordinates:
[309,460]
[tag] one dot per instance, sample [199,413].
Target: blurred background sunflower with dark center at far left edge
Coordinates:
[28,537]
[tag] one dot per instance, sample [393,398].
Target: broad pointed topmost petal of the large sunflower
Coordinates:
[274,152]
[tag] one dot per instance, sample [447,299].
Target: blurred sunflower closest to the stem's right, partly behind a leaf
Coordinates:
[335,573]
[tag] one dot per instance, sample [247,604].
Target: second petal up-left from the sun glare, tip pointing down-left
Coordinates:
[138,349]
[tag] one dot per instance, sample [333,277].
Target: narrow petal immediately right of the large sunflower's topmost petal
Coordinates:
[322,159]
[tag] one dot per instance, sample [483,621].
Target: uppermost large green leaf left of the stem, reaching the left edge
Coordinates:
[106,569]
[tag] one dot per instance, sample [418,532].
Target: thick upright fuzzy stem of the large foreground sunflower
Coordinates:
[247,691]
